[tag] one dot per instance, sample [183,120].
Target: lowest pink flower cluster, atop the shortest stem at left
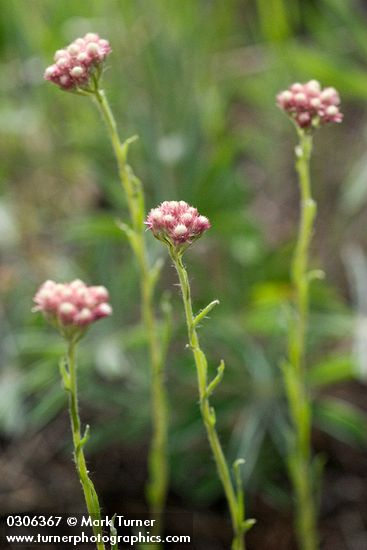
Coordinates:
[74,303]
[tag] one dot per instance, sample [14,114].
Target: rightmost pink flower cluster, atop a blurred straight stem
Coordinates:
[309,105]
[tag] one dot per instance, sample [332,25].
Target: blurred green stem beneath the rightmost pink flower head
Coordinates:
[297,391]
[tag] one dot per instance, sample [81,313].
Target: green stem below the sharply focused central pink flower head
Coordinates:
[207,412]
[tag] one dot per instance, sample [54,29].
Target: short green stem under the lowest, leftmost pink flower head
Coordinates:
[90,494]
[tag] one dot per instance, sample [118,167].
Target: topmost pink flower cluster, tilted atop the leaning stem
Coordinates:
[74,64]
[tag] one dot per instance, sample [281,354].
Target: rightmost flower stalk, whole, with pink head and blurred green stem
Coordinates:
[309,107]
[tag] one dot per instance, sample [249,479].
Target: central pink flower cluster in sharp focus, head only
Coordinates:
[176,222]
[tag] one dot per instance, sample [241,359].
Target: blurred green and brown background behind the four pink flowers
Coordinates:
[196,80]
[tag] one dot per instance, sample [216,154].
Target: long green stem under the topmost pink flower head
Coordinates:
[158,454]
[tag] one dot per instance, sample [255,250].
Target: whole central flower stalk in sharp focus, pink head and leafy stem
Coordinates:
[178,225]
